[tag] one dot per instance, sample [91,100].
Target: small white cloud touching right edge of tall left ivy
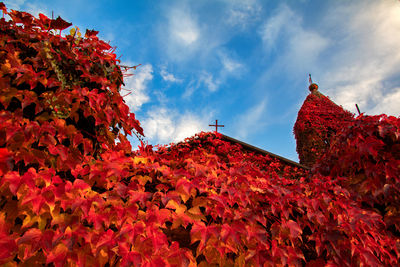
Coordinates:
[137,86]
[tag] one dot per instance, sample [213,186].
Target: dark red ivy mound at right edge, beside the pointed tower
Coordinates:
[365,159]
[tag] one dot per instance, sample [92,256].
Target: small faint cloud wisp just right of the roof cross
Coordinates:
[251,120]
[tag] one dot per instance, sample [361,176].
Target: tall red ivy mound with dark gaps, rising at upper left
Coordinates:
[58,93]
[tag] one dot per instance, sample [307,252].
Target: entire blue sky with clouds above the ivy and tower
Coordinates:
[245,63]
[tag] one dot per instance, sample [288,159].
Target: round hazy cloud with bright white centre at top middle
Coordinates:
[191,33]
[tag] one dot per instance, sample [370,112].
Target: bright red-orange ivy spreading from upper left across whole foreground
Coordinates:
[70,195]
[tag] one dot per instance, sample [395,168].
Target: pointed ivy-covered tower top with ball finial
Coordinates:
[318,120]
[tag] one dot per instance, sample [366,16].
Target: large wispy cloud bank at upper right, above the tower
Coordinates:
[353,50]
